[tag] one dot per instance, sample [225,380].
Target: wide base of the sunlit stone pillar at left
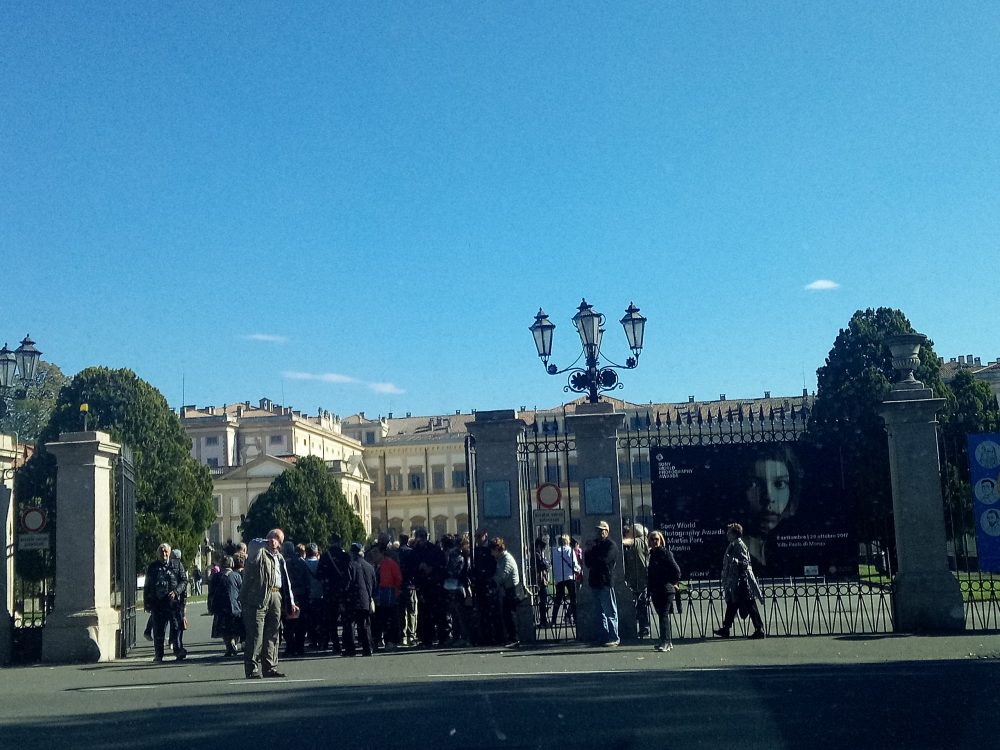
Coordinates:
[88,636]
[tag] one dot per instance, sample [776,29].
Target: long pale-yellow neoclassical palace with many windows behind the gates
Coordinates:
[402,472]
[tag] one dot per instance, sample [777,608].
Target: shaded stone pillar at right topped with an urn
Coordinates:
[928,596]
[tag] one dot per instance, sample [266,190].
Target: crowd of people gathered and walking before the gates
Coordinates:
[412,593]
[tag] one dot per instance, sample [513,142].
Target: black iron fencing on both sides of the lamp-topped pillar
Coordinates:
[849,604]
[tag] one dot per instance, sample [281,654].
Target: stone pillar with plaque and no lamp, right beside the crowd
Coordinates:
[501,507]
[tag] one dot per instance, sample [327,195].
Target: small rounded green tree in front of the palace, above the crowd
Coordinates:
[307,503]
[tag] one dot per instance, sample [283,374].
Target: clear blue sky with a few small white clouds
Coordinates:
[361,206]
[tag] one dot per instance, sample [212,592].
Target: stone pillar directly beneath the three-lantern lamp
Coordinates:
[596,429]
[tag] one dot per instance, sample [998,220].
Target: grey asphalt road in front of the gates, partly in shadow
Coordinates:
[889,692]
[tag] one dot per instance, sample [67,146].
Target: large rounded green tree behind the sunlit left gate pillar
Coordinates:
[173,491]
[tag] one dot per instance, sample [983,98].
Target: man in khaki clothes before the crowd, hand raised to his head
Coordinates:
[265,593]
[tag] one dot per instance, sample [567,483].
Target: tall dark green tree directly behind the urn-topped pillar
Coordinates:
[845,422]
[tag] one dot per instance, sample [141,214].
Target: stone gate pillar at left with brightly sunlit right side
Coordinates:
[83,626]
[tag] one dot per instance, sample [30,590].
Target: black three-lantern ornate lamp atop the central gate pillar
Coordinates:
[594,378]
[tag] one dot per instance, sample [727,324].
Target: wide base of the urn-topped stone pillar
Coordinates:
[928,602]
